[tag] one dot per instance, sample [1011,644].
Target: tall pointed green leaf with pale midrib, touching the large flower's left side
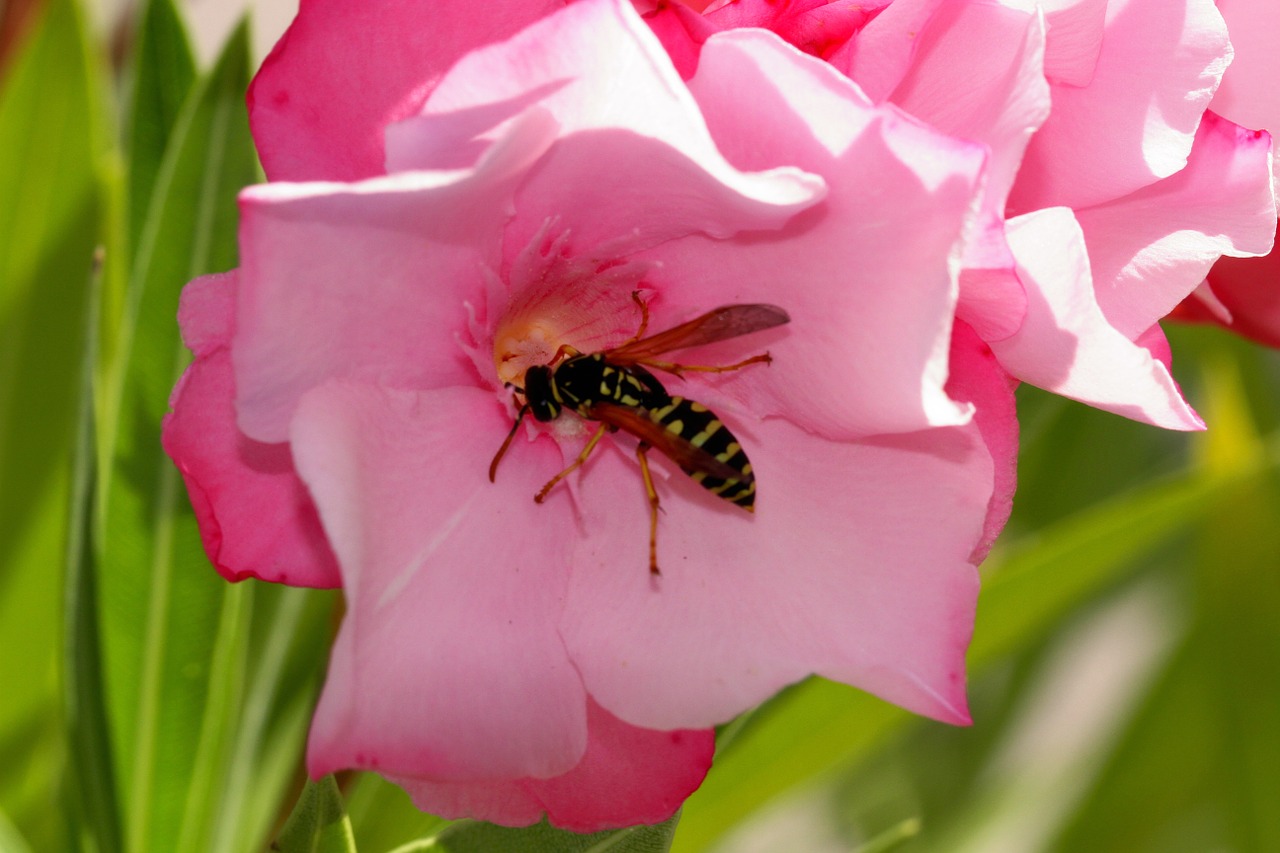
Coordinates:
[175,633]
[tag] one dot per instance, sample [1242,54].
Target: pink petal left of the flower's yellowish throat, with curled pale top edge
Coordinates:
[367,281]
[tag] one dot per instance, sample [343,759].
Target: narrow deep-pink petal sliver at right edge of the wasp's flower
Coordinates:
[977,378]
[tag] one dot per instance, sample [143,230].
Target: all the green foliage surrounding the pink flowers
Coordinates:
[1126,665]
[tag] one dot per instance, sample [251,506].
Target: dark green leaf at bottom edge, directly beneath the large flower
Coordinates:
[472,837]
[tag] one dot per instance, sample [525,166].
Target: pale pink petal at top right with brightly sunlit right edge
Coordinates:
[1155,76]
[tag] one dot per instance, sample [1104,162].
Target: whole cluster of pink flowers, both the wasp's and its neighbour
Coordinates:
[948,198]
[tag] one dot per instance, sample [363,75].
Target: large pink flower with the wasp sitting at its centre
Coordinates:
[509,660]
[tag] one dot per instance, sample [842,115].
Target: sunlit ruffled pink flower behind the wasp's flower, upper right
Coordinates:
[1112,190]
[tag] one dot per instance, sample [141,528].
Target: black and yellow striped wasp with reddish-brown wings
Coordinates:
[616,389]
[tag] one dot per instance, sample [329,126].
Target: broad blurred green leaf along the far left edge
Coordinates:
[53,142]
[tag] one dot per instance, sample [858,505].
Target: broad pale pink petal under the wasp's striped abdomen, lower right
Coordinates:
[856,567]
